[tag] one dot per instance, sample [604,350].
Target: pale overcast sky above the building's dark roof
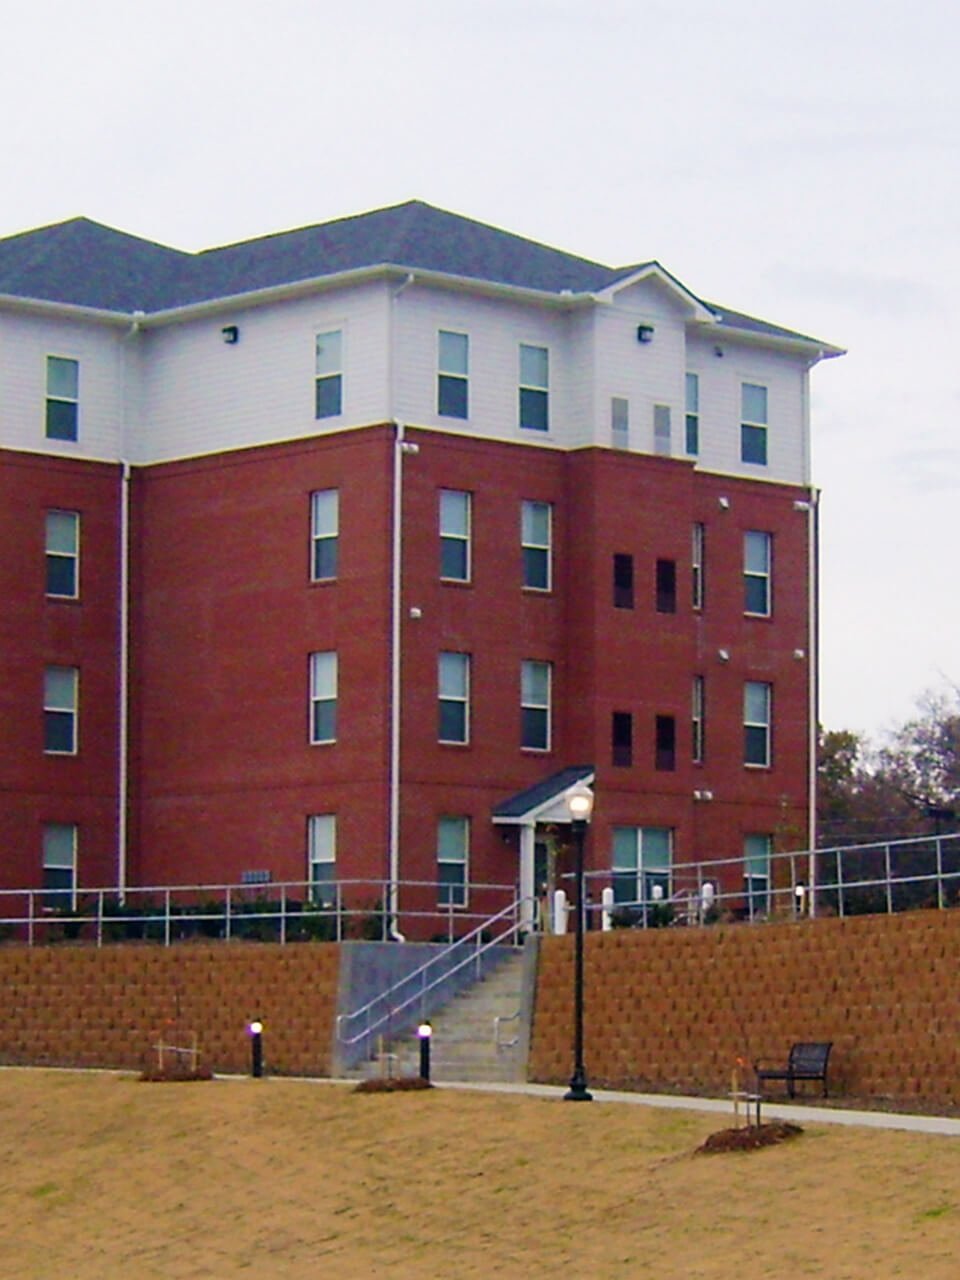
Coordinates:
[798,163]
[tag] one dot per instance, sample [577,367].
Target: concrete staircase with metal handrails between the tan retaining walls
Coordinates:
[463,1045]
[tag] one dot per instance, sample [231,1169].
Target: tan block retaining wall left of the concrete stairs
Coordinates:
[81,1007]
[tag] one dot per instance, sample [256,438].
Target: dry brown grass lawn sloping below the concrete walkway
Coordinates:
[104,1177]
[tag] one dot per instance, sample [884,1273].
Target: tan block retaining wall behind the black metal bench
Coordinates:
[675,1009]
